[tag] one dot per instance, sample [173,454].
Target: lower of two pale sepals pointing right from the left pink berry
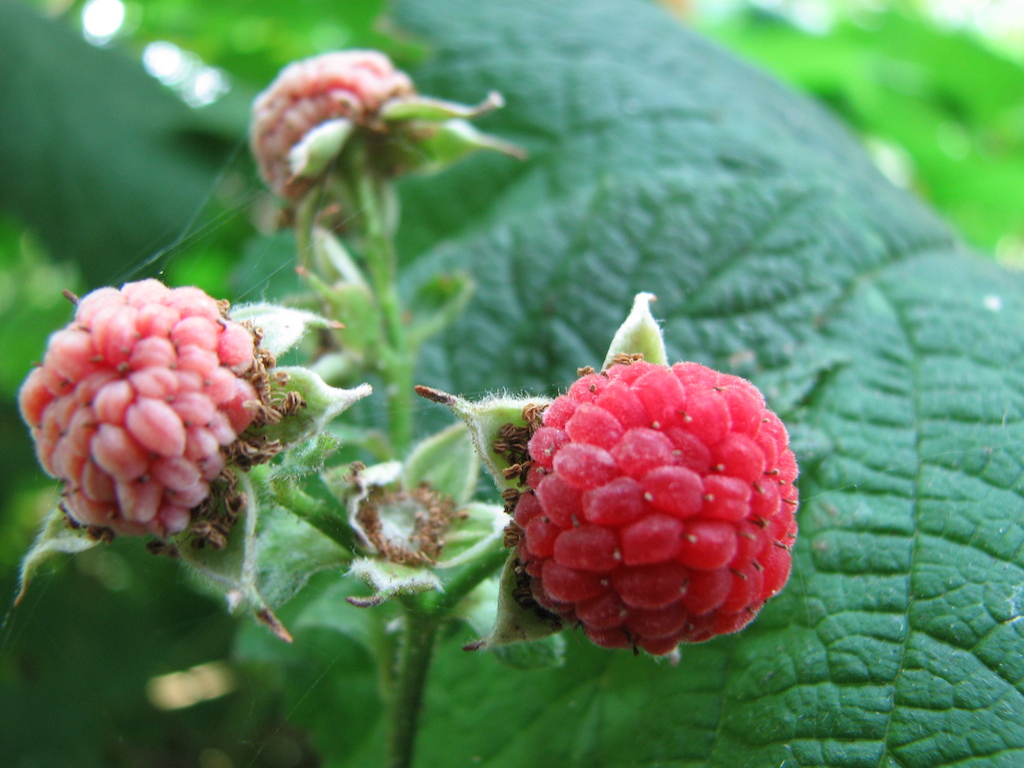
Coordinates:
[323,404]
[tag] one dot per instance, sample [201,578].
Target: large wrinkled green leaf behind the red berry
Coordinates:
[659,163]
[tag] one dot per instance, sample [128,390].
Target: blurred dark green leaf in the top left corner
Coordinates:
[106,165]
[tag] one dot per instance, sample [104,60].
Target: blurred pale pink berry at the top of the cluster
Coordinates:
[351,84]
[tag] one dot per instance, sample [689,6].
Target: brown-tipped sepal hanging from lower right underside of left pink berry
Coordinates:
[233,572]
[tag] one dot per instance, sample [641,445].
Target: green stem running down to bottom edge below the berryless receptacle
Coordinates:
[407,694]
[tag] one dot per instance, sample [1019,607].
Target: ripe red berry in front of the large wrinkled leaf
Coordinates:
[662,506]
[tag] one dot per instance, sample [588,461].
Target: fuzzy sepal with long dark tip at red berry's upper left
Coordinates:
[486,420]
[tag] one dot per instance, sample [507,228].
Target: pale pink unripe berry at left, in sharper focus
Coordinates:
[136,401]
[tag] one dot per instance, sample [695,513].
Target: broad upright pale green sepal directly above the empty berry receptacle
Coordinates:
[446,461]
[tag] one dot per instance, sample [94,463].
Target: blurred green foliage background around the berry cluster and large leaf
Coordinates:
[100,99]
